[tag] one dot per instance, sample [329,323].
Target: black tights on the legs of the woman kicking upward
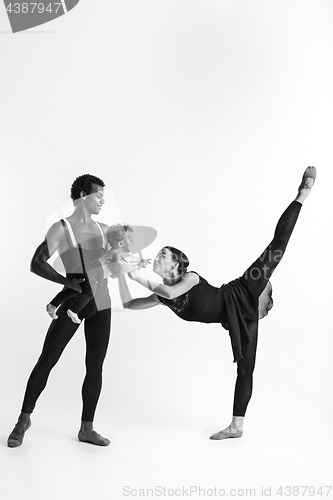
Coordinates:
[257,276]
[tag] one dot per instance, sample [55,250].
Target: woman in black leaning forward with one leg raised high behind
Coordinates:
[234,305]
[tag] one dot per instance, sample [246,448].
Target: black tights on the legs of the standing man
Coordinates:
[97,333]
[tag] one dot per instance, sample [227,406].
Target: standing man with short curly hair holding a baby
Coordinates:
[64,236]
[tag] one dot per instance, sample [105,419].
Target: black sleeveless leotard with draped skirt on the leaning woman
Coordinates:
[229,305]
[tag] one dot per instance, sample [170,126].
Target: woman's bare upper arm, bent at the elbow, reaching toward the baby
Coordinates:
[188,281]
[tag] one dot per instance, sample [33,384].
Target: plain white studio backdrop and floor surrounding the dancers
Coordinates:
[200,117]
